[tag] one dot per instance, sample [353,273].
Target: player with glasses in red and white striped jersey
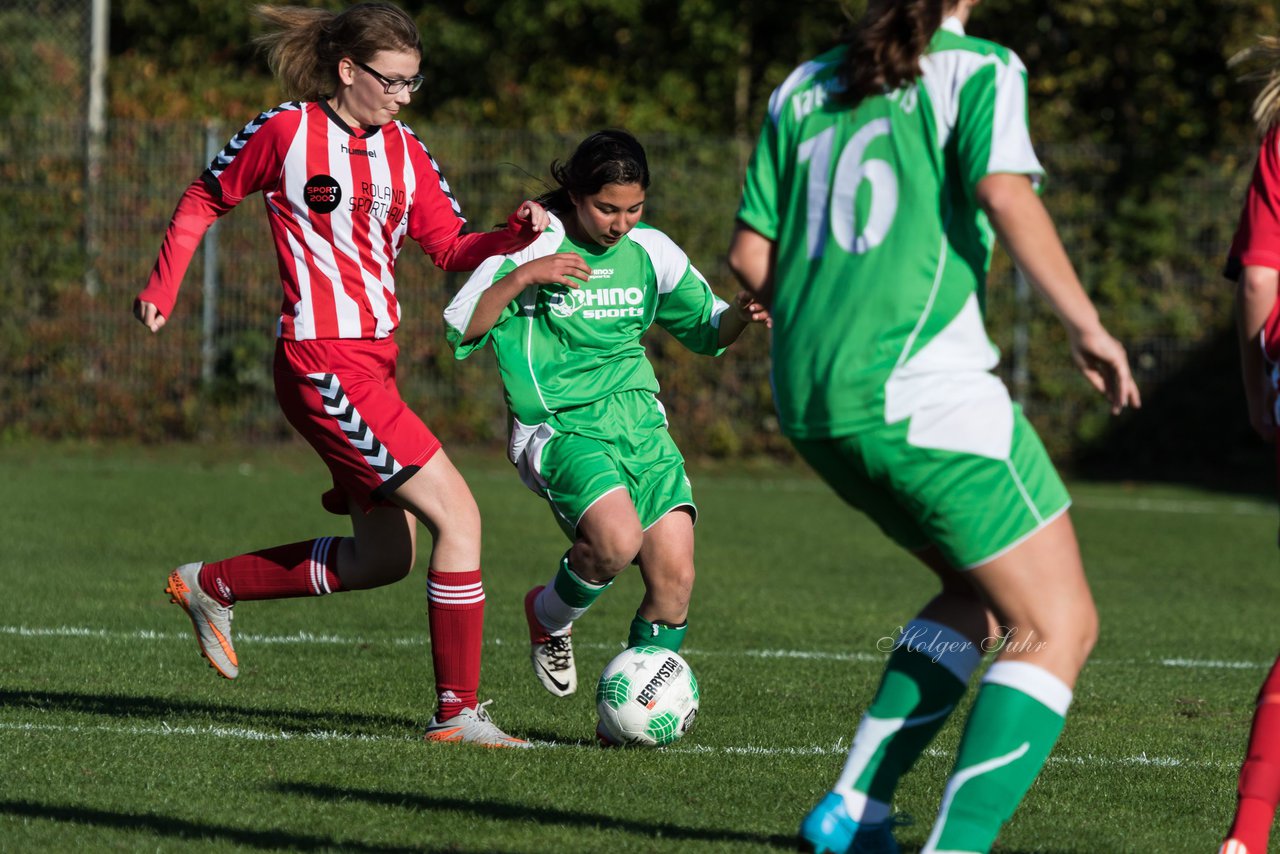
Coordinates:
[345,184]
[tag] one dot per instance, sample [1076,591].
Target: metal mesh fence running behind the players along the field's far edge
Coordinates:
[77,364]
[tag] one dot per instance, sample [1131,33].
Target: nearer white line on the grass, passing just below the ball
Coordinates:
[840,748]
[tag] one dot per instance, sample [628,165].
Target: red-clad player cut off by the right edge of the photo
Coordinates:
[1254,263]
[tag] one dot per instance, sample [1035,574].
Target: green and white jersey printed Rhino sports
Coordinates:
[564,348]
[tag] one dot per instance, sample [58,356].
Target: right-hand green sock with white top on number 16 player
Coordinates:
[1012,730]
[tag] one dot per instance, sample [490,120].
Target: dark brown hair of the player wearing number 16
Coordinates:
[885,47]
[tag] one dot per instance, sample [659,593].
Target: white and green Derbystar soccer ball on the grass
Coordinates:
[647,697]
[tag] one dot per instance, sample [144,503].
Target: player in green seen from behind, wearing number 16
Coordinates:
[883,172]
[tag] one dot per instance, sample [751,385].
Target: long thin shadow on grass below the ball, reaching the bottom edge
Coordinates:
[542,815]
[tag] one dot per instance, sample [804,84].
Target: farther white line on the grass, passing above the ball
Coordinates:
[355,641]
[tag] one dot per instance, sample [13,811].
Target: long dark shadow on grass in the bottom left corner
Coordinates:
[168,826]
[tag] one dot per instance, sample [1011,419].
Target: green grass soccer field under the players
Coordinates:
[115,736]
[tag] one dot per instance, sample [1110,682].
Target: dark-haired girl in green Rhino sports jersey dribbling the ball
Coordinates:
[565,318]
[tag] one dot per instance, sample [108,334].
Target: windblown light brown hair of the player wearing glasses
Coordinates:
[305,45]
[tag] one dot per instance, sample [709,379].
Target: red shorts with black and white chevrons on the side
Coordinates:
[341,396]
